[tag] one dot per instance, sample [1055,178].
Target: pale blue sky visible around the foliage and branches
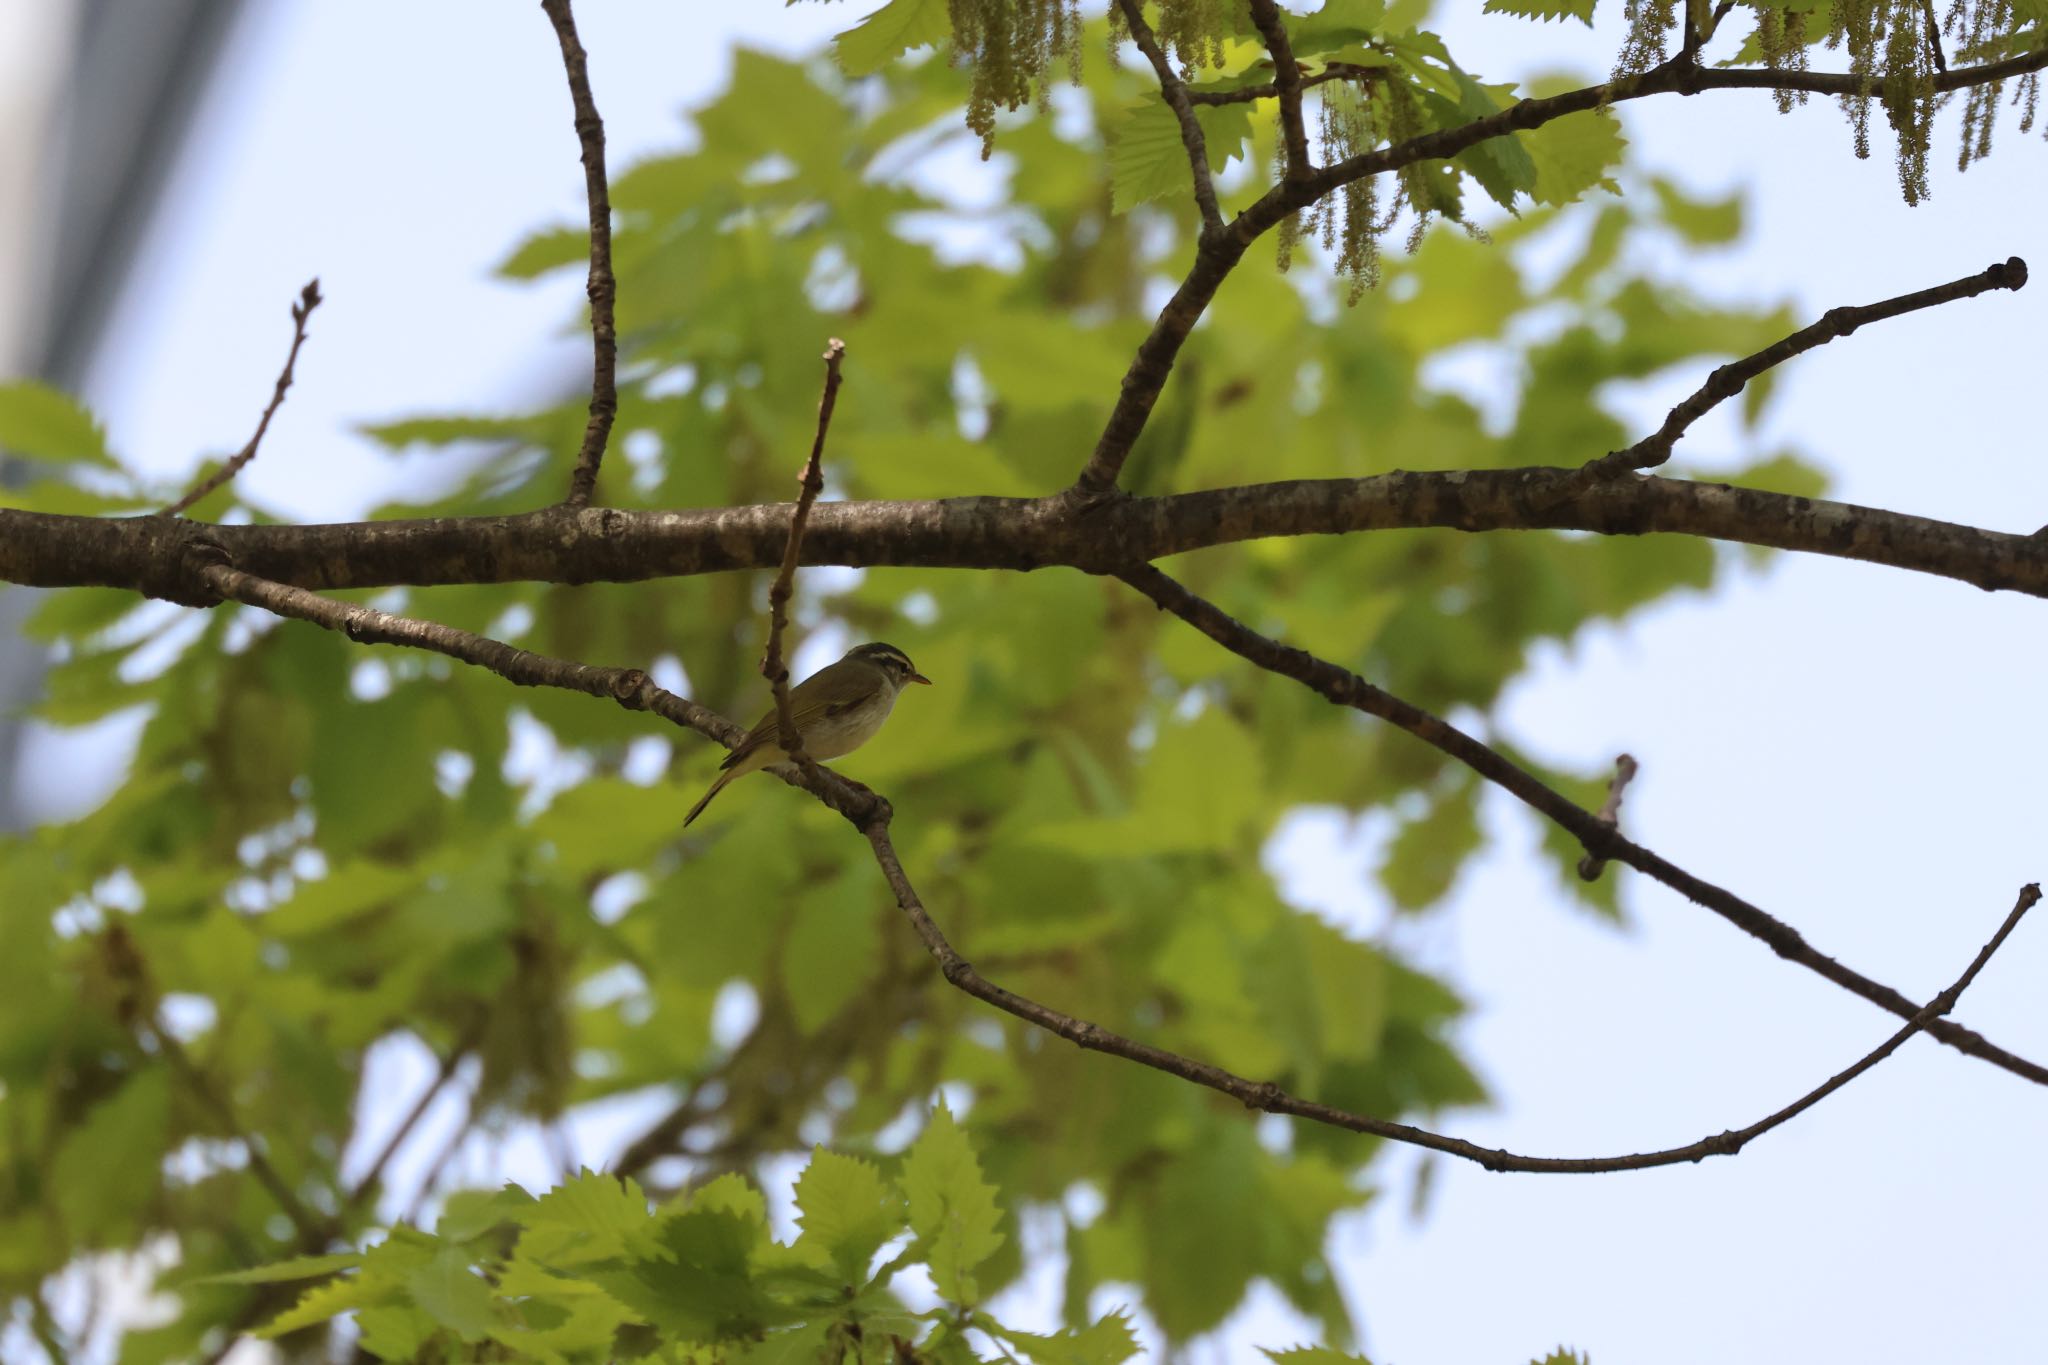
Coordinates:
[1852,748]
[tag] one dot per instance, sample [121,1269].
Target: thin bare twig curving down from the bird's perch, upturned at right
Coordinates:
[1273,1100]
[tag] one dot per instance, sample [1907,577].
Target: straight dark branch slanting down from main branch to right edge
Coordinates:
[1601,840]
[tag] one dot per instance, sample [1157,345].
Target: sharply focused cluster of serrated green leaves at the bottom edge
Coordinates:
[591,1272]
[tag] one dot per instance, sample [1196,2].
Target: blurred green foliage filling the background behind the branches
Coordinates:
[325,850]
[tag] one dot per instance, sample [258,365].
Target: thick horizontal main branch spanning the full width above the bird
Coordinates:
[153,556]
